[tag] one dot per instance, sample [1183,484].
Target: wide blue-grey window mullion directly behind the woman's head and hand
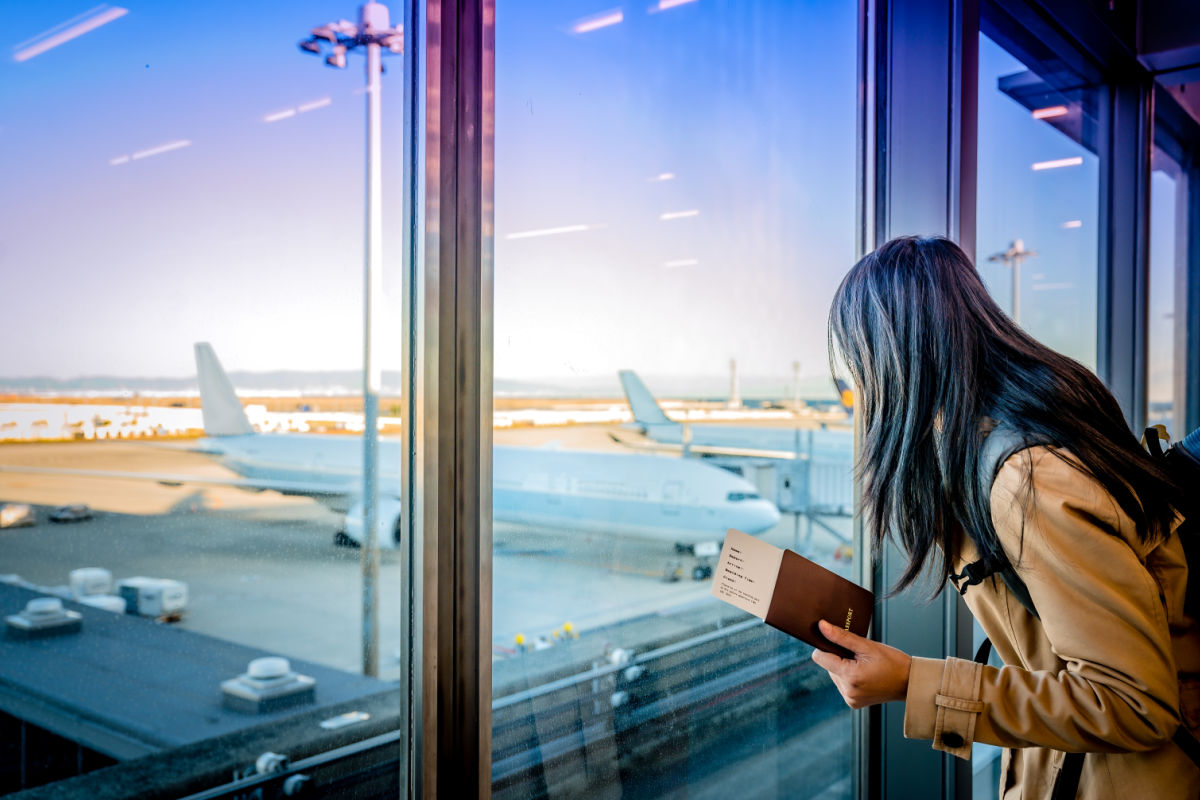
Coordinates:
[925,131]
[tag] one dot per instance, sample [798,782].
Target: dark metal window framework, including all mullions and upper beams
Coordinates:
[917,141]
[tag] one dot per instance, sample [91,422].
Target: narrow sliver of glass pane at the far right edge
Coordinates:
[1168,296]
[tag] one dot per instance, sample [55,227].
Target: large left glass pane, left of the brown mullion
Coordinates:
[179,175]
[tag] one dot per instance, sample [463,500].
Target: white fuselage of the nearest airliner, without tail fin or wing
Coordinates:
[646,496]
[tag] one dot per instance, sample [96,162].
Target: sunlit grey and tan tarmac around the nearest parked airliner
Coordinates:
[262,569]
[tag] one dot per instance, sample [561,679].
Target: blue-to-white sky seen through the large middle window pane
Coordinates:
[718,95]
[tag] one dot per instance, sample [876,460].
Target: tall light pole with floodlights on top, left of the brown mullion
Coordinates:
[373,33]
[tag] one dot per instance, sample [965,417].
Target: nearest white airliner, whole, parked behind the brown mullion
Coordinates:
[673,500]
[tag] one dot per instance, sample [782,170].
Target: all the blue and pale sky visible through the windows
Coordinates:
[251,236]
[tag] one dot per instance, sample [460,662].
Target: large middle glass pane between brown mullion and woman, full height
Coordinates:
[675,197]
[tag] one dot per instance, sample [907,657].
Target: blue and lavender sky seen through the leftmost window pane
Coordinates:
[251,237]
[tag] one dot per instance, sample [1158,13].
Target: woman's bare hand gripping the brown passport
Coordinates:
[877,675]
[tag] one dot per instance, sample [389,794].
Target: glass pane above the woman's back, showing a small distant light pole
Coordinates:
[1039,199]
